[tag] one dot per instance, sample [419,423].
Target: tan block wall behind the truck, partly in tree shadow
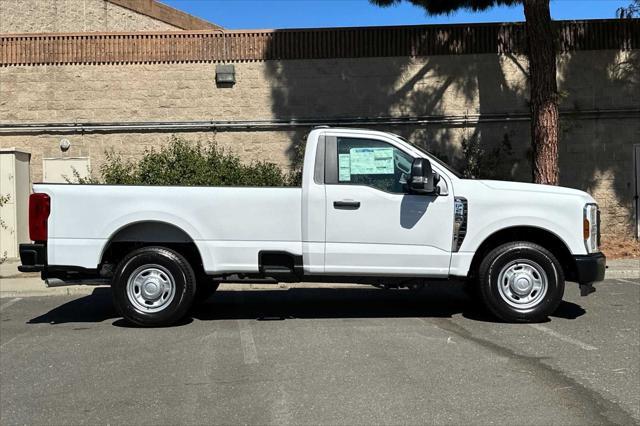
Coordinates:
[595,151]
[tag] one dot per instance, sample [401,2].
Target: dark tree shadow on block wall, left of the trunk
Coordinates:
[405,87]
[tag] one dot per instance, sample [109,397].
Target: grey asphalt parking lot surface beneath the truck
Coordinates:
[323,356]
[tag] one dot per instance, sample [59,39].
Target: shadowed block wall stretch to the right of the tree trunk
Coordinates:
[596,150]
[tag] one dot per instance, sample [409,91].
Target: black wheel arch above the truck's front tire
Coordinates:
[533,234]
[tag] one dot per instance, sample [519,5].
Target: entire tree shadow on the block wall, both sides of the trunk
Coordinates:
[473,84]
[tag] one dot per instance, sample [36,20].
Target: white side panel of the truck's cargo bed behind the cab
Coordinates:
[229,225]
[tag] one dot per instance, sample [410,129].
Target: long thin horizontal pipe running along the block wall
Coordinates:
[266,125]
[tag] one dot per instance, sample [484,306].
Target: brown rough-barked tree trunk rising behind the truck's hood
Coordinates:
[543,90]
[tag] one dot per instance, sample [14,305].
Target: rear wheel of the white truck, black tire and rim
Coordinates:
[167,265]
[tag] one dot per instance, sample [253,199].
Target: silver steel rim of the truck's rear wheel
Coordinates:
[151,288]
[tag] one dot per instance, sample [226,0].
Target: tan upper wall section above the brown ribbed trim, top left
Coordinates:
[64,16]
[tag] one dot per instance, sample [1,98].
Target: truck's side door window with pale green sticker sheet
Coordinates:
[373,163]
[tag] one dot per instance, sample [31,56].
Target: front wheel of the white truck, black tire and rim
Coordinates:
[524,260]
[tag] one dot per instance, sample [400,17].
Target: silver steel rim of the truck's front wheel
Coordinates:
[522,284]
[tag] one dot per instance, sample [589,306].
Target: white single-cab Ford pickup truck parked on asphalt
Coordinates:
[372,209]
